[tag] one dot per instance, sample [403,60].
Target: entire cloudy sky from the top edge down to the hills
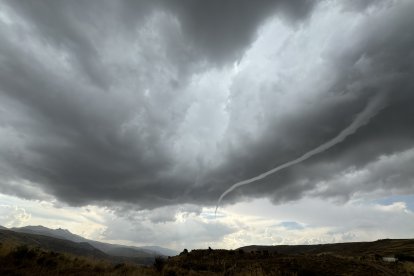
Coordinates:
[125,121]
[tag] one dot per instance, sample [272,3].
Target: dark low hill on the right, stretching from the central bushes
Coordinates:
[365,258]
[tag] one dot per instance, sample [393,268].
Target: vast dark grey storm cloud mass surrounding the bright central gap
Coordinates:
[94,102]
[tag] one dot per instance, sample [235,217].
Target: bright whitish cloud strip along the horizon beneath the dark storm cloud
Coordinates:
[244,223]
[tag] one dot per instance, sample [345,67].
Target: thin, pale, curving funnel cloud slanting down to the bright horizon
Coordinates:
[374,105]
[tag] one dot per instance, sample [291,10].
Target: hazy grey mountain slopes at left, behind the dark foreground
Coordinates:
[62,240]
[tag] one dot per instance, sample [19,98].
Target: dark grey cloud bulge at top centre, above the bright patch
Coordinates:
[222,30]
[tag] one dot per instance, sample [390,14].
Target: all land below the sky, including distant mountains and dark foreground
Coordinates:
[39,250]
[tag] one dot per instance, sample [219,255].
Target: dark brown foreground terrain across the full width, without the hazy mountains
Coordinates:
[330,259]
